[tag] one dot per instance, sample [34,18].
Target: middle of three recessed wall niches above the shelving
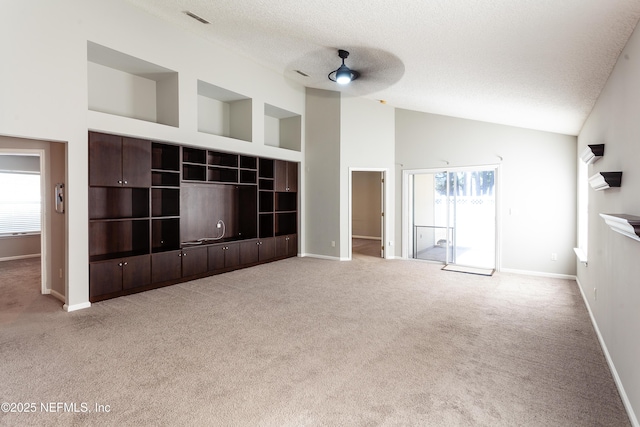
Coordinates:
[223,112]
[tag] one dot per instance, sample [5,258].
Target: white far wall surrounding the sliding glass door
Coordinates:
[537,189]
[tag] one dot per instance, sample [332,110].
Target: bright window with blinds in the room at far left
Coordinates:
[20,203]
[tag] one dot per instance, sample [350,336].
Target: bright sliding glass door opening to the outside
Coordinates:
[452,216]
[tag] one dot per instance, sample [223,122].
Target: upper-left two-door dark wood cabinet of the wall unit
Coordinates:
[116,161]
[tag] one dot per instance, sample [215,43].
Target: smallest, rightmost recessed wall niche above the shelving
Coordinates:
[282,128]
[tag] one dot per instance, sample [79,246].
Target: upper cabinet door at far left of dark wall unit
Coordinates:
[105,160]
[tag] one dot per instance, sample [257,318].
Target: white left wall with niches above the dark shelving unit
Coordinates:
[44,89]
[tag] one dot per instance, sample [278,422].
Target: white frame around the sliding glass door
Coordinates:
[407,212]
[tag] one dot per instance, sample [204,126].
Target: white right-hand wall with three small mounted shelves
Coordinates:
[613,268]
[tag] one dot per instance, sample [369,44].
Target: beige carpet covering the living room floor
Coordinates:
[306,342]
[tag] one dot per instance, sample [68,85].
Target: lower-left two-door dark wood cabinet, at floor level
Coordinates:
[112,276]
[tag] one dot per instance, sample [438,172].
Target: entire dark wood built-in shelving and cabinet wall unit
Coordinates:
[162,213]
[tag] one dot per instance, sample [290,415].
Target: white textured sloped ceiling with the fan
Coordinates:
[538,64]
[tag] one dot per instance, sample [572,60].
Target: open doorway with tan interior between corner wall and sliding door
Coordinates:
[367,221]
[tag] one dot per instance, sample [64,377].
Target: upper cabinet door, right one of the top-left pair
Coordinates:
[136,163]
